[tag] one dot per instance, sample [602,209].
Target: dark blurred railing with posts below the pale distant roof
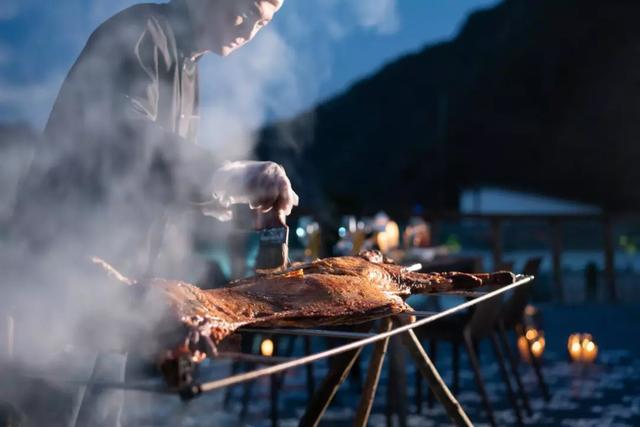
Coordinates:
[556,224]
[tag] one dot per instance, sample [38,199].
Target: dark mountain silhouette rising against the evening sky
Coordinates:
[542,96]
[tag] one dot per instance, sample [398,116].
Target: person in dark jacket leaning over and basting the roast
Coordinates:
[120,154]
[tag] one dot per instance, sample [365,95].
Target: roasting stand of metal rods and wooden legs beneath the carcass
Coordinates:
[401,325]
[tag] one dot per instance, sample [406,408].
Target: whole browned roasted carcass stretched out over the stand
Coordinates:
[331,291]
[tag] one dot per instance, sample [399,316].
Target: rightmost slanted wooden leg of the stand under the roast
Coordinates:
[443,394]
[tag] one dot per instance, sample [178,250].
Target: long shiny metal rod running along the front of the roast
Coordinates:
[249,376]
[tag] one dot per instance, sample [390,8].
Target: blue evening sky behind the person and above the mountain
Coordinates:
[313,49]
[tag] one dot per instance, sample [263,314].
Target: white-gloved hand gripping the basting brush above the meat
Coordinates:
[261,185]
